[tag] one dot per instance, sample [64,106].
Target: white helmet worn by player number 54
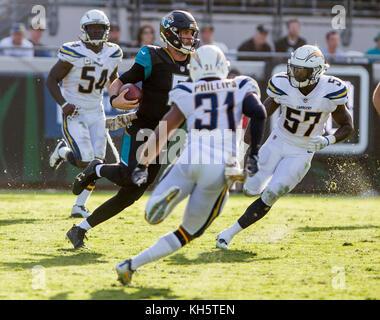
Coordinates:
[94,17]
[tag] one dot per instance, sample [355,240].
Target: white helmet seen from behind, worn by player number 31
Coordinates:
[208,62]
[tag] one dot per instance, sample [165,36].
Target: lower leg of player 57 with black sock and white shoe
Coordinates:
[253,213]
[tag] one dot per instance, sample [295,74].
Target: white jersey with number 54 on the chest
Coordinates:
[83,85]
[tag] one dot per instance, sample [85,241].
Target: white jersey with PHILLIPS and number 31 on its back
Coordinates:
[213,111]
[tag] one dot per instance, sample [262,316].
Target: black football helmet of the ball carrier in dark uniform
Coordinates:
[170,26]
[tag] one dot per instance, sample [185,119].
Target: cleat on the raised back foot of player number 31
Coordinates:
[162,206]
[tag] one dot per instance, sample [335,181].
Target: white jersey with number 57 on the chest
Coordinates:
[305,116]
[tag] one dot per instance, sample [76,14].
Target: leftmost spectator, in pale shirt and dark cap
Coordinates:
[15,44]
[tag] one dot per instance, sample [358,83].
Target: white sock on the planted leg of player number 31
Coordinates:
[166,245]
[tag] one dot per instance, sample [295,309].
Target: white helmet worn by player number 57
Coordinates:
[305,66]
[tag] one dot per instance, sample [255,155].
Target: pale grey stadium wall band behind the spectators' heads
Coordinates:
[232,29]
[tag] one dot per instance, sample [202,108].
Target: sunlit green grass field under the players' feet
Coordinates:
[305,248]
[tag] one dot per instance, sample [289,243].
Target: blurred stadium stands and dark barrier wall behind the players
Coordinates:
[30,120]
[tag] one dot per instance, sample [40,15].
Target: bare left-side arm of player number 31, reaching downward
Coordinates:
[156,141]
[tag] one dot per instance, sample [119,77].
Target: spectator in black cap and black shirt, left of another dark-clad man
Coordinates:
[256,44]
